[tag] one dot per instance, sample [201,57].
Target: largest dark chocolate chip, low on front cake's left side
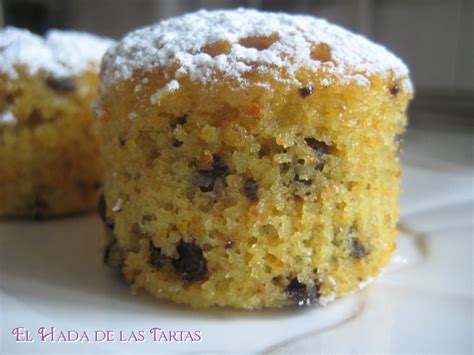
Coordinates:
[190,264]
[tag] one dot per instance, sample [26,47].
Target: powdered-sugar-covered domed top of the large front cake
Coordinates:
[231,43]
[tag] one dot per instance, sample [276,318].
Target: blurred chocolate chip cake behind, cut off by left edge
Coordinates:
[49,160]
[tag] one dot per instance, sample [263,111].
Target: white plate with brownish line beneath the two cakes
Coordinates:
[52,276]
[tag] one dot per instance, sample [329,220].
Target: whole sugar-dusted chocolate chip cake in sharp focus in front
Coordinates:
[251,158]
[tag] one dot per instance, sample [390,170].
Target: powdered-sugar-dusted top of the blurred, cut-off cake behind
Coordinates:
[60,53]
